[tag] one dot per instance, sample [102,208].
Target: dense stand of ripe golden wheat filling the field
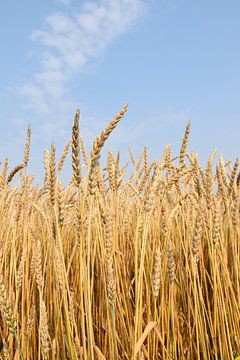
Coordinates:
[119,266]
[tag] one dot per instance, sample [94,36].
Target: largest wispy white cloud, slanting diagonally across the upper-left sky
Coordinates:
[68,42]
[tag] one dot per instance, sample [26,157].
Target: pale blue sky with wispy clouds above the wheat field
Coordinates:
[170,60]
